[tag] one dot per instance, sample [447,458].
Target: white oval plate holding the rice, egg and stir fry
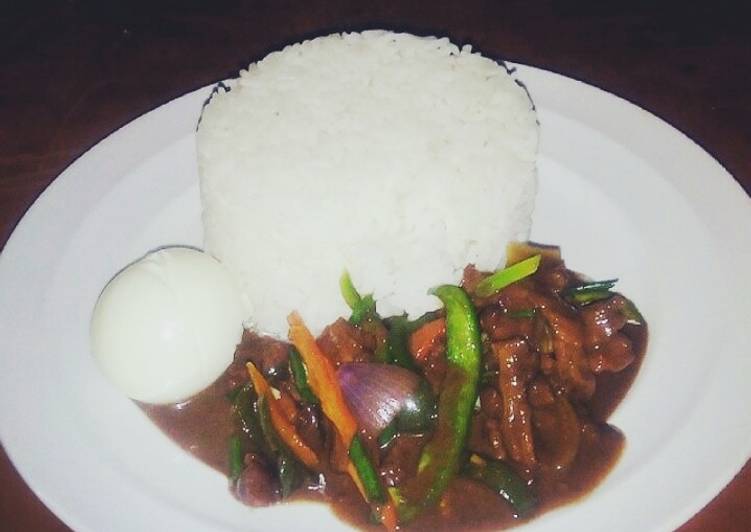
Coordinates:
[625,195]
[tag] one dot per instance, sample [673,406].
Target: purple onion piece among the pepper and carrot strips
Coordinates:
[376,392]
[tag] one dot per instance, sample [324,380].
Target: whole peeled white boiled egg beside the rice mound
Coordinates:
[166,326]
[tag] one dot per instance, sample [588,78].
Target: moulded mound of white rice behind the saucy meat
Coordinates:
[396,157]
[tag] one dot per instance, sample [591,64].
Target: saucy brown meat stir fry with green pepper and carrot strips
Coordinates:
[479,415]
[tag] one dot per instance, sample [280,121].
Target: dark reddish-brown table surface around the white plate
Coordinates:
[73,71]
